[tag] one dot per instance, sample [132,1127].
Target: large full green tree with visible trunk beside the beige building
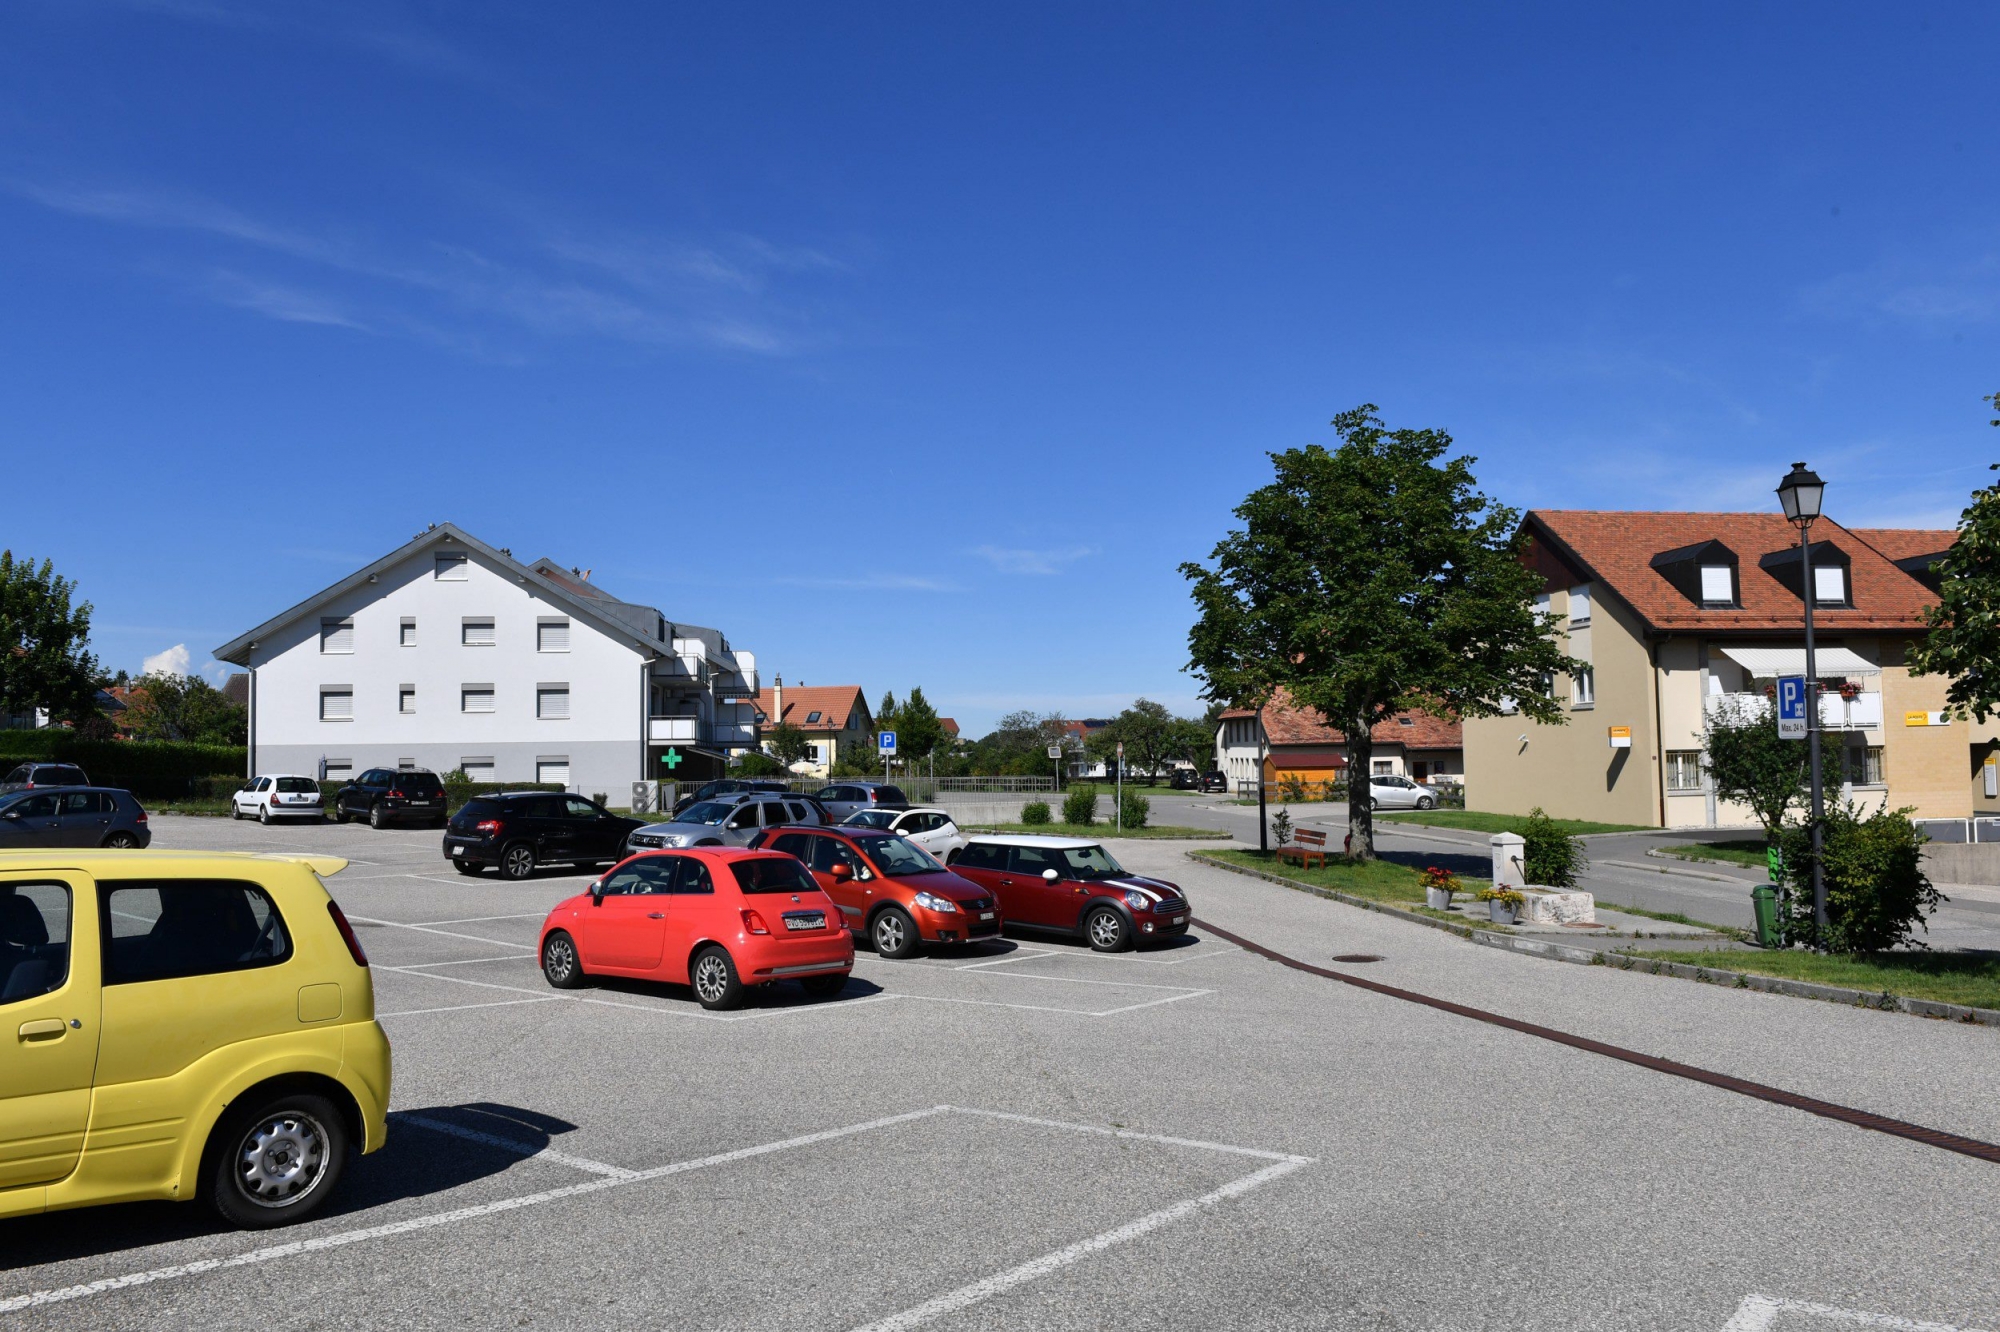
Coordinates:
[1371,579]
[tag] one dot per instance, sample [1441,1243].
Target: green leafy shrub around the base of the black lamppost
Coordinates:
[1877,893]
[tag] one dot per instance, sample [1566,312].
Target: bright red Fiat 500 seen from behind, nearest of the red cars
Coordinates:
[715,919]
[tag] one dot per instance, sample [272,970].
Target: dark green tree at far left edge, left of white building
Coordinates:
[43,643]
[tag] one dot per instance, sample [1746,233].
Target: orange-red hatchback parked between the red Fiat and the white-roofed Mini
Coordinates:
[891,889]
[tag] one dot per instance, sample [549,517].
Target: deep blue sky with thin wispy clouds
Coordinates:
[919,345]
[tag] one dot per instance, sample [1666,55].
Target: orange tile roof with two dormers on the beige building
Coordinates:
[1617,551]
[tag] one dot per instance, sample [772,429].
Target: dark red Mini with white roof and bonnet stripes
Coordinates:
[1073,887]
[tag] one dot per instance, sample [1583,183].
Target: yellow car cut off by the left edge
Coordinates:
[183,1025]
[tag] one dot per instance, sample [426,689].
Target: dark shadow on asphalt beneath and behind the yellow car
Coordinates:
[415,1163]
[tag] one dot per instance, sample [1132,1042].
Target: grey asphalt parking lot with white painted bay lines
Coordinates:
[1029,1135]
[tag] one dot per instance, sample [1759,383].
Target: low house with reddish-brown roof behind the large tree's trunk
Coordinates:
[1299,743]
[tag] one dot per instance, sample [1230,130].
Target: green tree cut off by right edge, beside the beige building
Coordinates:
[1965,625]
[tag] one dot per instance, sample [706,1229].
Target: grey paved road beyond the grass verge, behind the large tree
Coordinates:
[1621,871]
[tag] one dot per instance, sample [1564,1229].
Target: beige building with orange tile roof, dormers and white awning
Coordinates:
[1685,615]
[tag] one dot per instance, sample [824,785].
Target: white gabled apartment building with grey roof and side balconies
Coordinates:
[453,655]
